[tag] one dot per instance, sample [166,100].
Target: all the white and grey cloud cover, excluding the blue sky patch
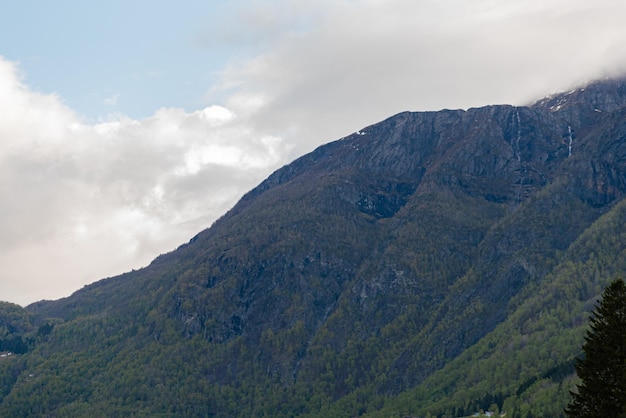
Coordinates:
[83,201]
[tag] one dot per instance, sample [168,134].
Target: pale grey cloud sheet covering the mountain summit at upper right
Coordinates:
[366,60]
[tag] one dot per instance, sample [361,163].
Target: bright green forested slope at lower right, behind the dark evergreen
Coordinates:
[527,363]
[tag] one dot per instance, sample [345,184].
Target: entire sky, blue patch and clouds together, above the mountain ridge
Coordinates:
[126,127]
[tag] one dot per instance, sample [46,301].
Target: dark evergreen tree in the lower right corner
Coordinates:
[602,392]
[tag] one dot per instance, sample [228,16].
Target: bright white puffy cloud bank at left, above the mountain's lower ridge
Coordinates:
[85,201]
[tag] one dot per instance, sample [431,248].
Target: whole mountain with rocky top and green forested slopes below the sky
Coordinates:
[435,262]
